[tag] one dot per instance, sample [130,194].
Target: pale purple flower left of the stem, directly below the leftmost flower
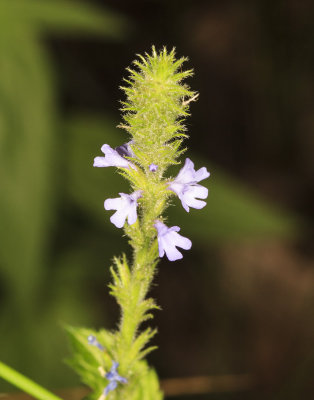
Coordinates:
[125,206]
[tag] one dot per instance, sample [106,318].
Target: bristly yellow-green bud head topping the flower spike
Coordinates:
[156,121]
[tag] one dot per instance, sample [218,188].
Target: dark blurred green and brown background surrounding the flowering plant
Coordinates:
[241,301]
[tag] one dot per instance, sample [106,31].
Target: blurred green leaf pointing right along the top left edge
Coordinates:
[61,16]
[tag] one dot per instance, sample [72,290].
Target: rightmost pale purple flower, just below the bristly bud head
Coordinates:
[186,187]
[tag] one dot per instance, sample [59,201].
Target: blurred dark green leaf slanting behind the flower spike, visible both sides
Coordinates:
[232,211]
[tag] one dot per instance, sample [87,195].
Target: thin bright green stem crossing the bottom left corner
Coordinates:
[25,384]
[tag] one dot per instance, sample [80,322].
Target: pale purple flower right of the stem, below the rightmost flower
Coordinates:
[168,239]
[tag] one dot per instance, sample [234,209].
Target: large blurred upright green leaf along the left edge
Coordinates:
[27,122]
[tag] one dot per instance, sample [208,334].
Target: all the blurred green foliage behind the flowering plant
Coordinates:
[39,172]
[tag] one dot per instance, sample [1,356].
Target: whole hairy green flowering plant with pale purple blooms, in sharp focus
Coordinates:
[157,101]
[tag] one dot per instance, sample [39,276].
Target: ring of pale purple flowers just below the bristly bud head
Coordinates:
[185,186]
